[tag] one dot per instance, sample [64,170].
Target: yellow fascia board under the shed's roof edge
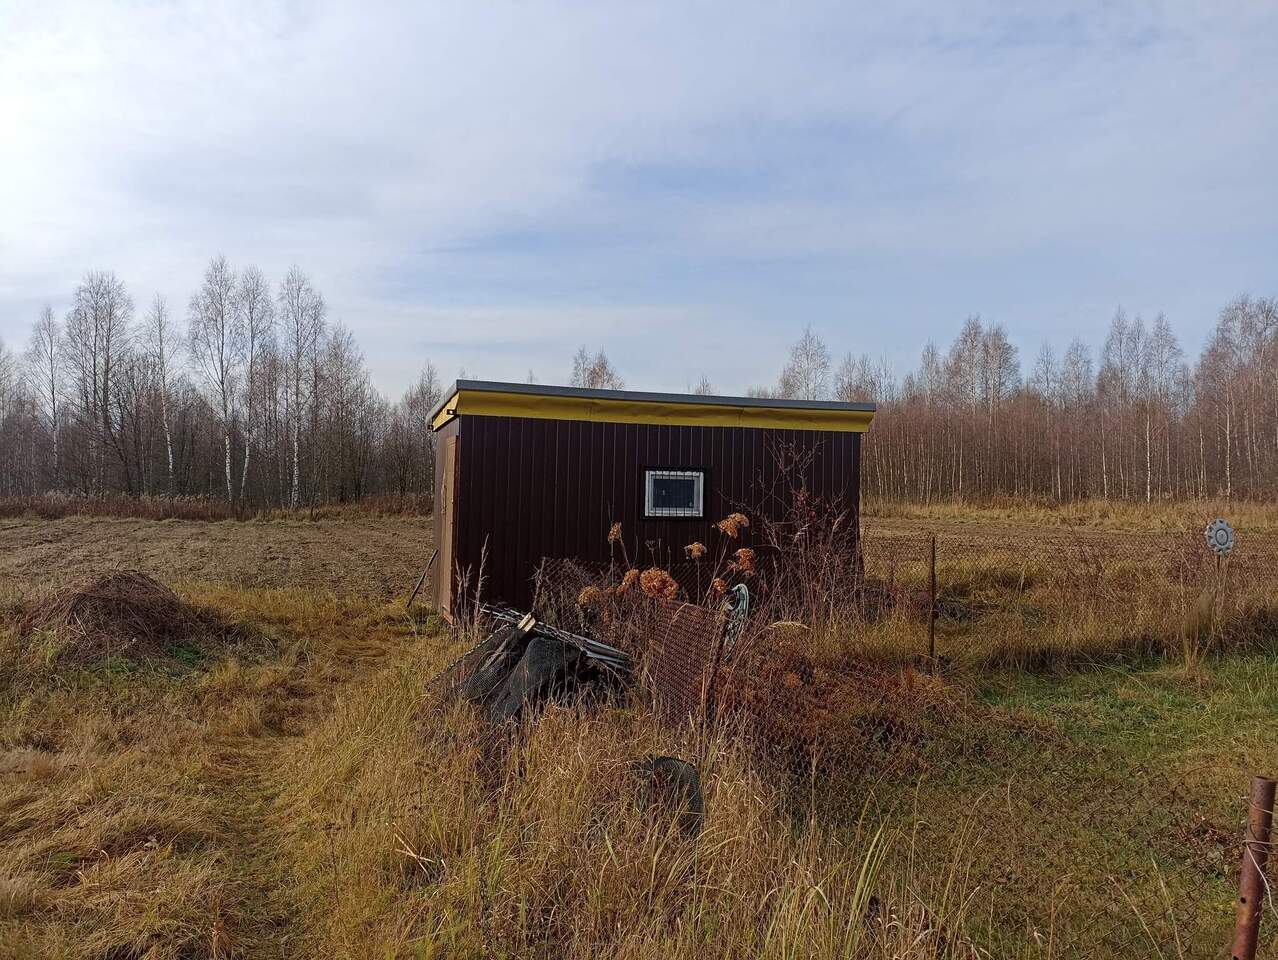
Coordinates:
[480,403]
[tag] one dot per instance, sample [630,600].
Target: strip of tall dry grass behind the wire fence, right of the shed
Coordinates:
[1009,610]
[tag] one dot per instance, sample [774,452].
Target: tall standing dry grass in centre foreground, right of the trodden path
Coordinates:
[416,829]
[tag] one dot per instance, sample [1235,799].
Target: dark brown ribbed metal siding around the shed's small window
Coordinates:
[532,489]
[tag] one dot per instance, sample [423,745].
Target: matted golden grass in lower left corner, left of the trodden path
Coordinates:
[111,842]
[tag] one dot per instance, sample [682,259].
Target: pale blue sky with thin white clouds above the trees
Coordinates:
[489,186]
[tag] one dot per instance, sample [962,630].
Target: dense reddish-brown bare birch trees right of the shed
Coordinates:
[1134,421]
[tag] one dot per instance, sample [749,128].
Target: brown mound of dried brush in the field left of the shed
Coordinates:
[125,614]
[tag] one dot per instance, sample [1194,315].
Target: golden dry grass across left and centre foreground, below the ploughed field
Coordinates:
[320,802]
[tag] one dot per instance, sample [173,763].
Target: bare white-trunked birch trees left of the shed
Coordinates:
[252,394]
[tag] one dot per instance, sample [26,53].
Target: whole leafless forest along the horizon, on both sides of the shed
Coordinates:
[258,398]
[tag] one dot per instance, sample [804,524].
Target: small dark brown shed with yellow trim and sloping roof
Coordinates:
[527,472]
